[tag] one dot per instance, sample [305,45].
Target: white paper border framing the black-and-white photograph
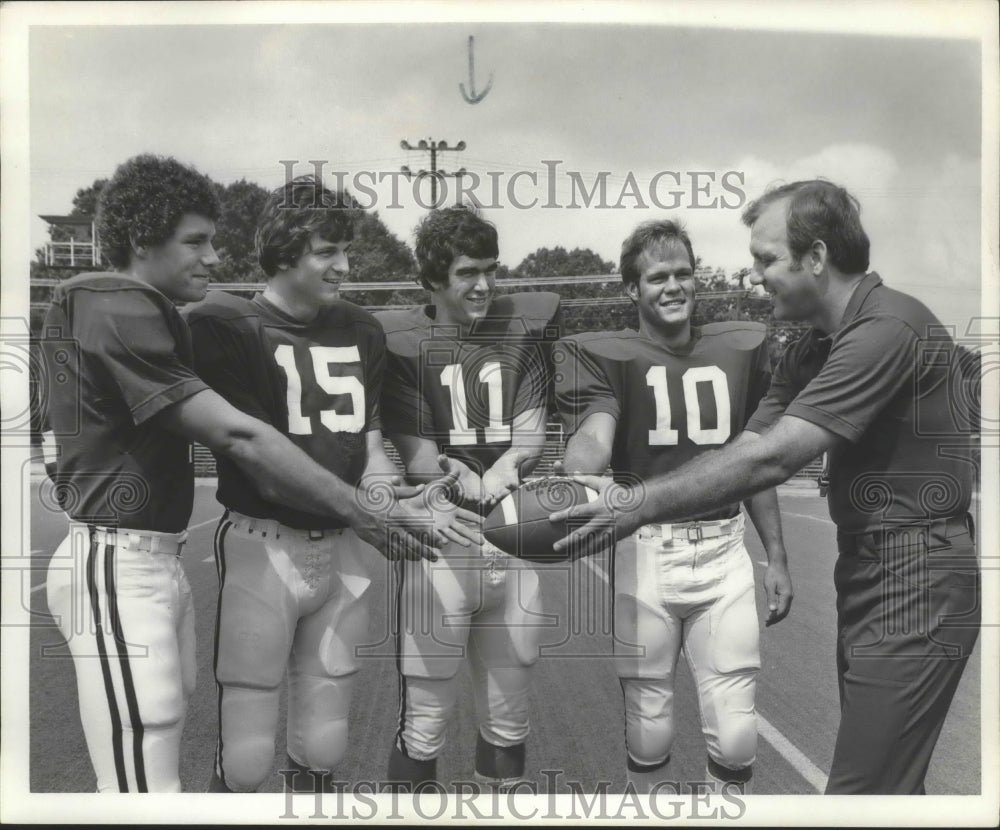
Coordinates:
[915,18]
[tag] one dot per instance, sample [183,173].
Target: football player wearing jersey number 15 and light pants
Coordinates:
[293,580]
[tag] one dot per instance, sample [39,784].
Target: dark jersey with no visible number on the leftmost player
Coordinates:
[117,353]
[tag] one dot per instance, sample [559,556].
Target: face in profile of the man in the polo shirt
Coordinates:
[792,286]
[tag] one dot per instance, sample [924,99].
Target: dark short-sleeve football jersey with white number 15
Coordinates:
[318,383]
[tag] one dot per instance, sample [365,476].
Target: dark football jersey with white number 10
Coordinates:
[669,405]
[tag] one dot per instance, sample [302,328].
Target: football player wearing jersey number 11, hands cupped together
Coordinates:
[467,377]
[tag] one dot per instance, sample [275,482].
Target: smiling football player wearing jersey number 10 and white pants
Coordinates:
[646,402]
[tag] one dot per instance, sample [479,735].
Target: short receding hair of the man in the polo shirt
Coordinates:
[819,209]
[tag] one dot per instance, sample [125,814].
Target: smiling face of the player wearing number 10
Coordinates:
[664,292]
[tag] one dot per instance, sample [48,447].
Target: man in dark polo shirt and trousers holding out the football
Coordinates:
[872,384]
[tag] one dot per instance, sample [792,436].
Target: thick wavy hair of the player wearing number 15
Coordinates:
[293,213]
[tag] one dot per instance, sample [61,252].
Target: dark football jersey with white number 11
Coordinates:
[464,392]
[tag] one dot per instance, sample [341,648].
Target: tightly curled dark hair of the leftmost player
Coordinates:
[144,202]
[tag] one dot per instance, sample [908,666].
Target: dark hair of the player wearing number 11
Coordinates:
[451,232]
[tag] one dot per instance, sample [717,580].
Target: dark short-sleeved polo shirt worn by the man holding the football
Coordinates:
[888,382]
